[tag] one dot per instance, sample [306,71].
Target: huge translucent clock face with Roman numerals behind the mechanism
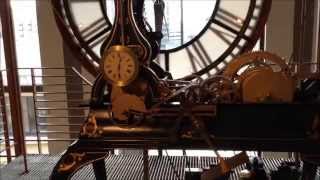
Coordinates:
[200,37]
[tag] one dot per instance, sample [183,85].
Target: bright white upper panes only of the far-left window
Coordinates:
[27,40]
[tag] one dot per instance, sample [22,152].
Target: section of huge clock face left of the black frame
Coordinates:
[84,26]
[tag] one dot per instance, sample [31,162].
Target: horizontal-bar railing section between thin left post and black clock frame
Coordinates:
[57,104]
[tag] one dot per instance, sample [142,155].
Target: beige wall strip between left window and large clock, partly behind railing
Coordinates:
[51,46]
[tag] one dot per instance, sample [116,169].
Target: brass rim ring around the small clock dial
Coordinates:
[120,49]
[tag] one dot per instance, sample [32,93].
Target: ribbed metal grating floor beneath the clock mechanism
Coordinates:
[127,167]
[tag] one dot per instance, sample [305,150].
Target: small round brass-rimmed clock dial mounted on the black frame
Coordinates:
[119,65]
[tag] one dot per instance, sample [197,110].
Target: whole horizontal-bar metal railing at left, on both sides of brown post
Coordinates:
[57,110]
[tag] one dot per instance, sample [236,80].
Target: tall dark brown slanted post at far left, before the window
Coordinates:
[13,79]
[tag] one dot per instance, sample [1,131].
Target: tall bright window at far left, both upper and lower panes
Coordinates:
[24,15]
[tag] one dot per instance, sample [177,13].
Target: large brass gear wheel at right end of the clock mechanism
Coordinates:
[261,77]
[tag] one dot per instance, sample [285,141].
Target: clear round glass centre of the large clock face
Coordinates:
[180,23]
